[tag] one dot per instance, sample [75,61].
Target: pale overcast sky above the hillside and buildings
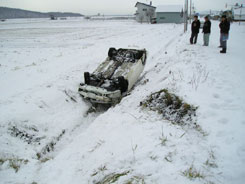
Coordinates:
[108,7]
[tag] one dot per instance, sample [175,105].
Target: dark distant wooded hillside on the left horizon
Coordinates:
[12,13]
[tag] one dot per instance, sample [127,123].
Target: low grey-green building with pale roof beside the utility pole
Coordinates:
[169,14]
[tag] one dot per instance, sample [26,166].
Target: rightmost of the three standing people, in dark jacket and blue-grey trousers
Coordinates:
[224,33]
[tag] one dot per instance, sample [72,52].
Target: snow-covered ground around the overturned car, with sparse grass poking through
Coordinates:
[47,138]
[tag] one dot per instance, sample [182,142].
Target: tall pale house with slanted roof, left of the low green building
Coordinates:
[145,12]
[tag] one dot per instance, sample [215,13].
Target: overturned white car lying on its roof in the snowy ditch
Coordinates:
[114,77]
